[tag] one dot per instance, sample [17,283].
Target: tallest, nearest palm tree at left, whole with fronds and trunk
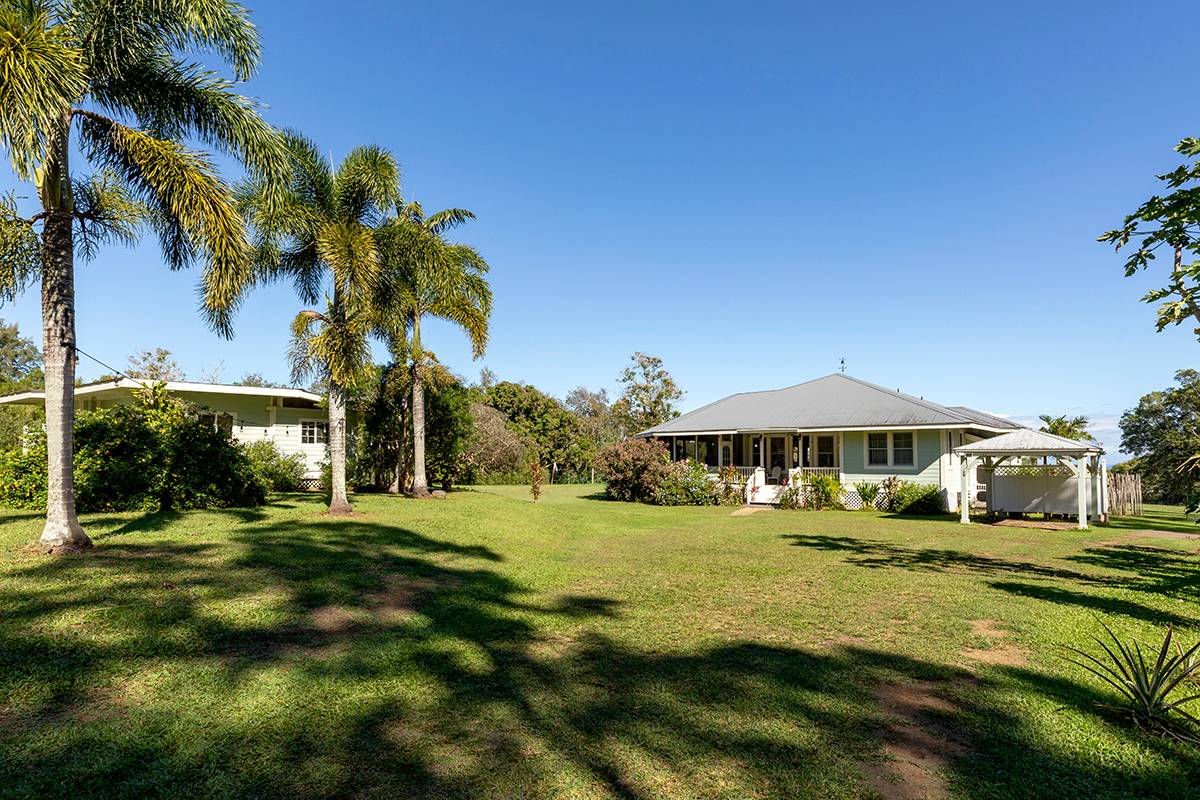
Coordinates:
[110,79]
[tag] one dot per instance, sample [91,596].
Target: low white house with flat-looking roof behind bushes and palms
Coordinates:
[291,418]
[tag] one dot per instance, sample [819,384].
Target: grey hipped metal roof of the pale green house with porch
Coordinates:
[832,402]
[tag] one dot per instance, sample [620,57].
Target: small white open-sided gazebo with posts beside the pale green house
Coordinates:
[1021,477]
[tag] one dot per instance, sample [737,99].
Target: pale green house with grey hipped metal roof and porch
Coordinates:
[839,426]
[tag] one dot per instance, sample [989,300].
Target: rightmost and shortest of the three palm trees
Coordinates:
[433,278]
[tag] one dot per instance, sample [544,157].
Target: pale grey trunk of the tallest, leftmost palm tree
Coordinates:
[63,532]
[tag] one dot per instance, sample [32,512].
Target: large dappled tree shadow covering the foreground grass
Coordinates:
[393,664]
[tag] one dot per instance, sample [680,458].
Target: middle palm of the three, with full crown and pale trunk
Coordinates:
[322,236]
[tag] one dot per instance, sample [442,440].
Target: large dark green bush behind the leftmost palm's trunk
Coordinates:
[140,458]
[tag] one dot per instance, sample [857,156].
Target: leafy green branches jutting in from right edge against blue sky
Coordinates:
[1172,221]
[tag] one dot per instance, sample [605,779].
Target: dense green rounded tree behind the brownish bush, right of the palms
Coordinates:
[555,434]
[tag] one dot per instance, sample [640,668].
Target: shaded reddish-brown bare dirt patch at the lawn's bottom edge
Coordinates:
[919,743]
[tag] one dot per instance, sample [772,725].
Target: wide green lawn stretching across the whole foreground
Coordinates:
[487,647]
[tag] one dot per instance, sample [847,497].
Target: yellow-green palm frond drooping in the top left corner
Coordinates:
[41,76]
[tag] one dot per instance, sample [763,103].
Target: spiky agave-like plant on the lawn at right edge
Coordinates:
[1148,688]
